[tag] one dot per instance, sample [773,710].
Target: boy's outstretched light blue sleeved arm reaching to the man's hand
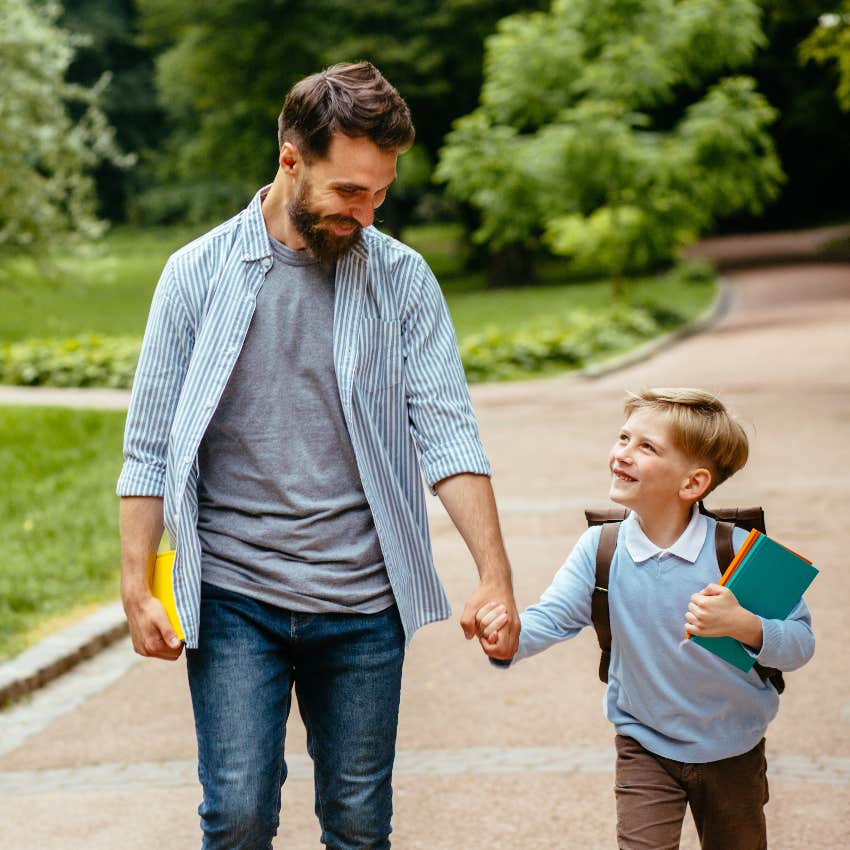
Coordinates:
[564,608]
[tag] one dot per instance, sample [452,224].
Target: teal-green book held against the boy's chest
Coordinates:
[770,581]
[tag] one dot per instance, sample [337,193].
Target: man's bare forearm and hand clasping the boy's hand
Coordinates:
[469,501]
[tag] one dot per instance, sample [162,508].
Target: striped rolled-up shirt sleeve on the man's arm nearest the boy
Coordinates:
[439,408]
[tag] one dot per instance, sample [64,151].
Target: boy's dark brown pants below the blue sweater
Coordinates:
[726,797]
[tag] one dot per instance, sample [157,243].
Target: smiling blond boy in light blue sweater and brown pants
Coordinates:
[690,727]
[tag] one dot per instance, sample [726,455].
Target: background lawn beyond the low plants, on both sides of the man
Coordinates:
[109,292]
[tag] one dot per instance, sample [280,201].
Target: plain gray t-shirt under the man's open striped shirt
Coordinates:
[282,516]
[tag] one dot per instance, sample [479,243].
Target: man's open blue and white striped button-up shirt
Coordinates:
[401,384]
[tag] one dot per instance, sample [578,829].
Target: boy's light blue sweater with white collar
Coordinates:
[672,696]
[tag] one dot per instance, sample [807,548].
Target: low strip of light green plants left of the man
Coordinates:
[87,361]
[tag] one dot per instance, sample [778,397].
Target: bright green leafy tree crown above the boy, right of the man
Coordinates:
[608,130]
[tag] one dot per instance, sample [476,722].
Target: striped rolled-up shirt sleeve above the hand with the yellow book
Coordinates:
[163,361]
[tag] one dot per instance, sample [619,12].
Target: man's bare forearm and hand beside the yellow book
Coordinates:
[141,530]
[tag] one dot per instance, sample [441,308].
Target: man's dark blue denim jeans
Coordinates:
[346,669]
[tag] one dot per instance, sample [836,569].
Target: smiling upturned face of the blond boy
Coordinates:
[649,473]
